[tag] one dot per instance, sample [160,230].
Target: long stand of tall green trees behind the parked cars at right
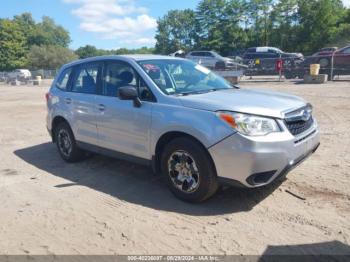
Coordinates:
[227,25]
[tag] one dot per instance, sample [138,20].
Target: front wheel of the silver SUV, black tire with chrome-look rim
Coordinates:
[197,180]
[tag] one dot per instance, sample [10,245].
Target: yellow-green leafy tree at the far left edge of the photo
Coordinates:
[12,45]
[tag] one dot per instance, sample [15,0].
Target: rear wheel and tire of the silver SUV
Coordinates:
[70,153]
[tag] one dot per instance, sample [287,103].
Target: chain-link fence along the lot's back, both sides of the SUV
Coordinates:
[336,65]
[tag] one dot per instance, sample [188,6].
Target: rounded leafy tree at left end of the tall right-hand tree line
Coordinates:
[176,30]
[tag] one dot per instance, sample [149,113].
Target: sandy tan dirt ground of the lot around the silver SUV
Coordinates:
[107,206]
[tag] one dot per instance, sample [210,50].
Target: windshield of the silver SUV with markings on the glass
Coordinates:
[182,77]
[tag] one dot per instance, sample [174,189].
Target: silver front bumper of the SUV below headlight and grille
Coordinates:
[257,161]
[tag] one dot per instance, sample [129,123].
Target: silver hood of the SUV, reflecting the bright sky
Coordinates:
[251,101]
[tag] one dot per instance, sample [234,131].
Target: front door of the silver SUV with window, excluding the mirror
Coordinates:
[122,127]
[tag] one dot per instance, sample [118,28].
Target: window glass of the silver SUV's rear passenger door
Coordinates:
[87,78]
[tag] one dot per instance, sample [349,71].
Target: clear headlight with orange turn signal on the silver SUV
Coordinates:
[249,125]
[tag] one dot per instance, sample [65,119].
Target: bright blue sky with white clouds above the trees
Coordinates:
[106,24]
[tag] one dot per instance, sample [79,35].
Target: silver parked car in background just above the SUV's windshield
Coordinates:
[211,59]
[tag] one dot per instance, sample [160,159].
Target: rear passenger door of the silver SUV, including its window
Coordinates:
[86,82]
